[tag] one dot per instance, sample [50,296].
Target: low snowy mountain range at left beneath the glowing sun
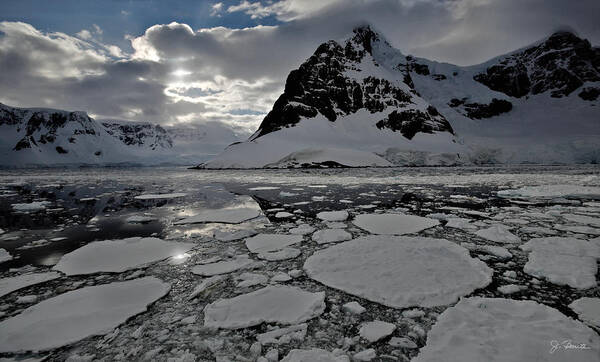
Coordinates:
[50,137]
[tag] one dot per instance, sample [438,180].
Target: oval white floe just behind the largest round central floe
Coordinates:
[393,224]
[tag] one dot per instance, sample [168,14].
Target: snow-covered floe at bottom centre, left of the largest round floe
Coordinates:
[272,304]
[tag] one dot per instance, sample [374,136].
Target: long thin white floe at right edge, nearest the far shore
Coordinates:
[553,191]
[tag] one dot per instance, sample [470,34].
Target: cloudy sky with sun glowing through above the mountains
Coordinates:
[194,62]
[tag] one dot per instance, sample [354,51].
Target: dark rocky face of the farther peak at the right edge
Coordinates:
[560,64]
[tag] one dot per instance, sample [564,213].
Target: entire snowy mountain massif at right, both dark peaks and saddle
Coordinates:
[363,97]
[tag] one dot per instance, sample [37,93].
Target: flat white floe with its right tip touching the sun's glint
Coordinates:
[117,256]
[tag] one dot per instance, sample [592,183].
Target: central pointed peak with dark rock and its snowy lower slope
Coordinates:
[346,96]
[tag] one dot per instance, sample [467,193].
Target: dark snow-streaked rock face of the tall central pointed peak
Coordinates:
[327,84]
